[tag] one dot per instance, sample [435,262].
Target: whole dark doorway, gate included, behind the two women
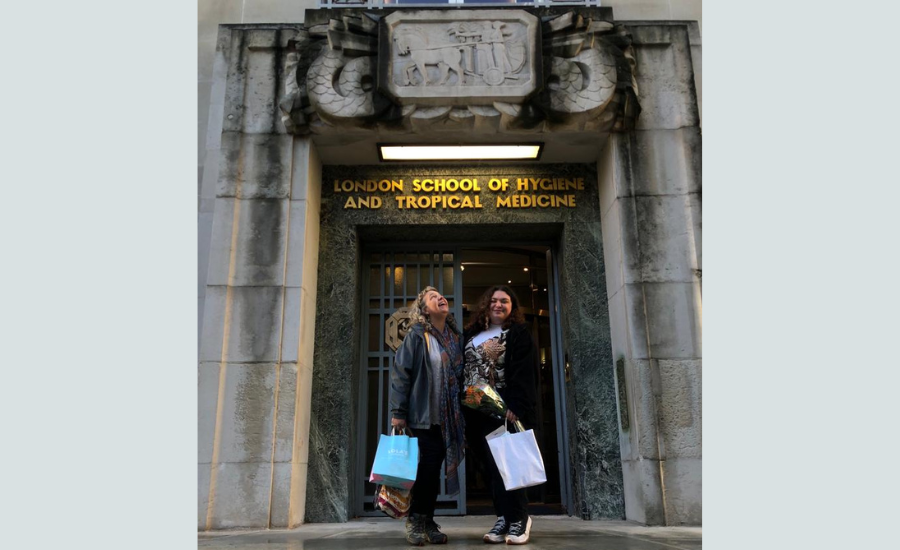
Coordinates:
[391,277]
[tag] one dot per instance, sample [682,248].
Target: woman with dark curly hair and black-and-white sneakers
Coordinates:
[499,350]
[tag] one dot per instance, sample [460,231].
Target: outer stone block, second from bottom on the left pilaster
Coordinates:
[248,409]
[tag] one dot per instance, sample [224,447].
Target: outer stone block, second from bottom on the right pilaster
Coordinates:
[680,408]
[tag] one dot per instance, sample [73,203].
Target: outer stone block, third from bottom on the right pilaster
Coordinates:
[674,322]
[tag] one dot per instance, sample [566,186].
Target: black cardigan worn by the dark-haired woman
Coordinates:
[520,364]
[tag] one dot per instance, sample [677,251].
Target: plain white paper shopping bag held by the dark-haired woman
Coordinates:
[518,458]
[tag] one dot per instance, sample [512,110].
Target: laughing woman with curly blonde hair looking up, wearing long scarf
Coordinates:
[425,383]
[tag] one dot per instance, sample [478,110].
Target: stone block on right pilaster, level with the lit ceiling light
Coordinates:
[666,162]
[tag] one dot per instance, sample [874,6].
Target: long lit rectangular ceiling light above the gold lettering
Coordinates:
[531,151]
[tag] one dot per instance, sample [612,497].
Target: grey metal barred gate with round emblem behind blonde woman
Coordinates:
[391,280]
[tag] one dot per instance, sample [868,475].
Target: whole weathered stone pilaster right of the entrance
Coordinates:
[650,195]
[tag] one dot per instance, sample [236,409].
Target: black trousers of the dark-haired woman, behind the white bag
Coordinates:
[513,505]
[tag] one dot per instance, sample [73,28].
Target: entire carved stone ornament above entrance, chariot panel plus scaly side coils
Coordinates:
[485,71]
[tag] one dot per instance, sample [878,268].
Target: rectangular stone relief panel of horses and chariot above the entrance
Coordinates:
[459,57]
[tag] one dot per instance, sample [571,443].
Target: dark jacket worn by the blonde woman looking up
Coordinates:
[411,381]
